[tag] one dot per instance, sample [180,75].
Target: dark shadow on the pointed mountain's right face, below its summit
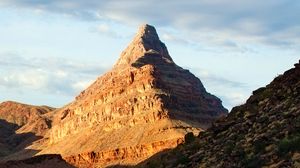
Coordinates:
[193,104]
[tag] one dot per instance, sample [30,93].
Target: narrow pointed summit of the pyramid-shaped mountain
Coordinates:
[145,41]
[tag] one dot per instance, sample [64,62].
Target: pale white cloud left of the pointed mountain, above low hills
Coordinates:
[48,75]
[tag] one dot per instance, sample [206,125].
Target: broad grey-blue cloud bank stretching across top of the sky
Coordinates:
[226,23]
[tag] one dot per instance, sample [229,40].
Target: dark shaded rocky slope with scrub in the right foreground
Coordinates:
[263,132]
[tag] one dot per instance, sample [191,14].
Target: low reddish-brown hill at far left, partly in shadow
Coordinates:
[20,125]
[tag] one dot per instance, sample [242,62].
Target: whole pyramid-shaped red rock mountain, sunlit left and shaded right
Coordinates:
[145,104]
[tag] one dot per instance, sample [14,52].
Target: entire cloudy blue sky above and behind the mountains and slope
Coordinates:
[51,50]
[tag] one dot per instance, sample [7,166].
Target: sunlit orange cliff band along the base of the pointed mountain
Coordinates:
[127,155]
